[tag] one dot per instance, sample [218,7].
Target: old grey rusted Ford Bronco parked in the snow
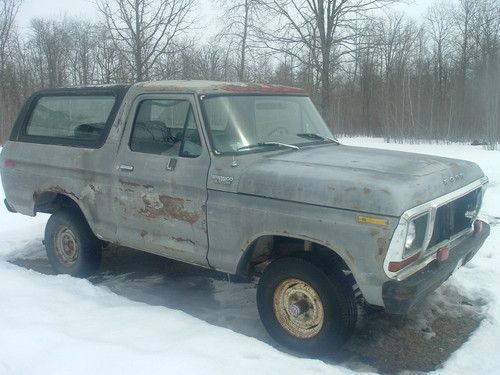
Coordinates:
[245,179]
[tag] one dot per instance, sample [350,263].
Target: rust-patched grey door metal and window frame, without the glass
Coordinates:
[160,204]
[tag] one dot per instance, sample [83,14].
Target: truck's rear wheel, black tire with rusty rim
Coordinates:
[71,246]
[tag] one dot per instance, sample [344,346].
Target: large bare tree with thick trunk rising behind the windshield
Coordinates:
[322,29]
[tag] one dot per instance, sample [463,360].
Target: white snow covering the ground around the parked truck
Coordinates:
[61,325]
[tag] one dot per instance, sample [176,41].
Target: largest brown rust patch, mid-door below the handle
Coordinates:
[168,207]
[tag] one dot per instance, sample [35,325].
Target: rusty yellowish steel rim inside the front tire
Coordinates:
[298,308]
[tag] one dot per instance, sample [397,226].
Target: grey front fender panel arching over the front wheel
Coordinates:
[235,221]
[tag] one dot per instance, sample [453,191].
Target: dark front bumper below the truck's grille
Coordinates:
[401,296]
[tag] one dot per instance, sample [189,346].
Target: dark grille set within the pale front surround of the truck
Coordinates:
[452,219]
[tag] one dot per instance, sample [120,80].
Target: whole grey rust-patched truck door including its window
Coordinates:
[160,188]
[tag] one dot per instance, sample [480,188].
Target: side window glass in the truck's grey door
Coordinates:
[165,127]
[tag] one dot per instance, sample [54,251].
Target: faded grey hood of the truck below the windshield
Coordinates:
[355,178]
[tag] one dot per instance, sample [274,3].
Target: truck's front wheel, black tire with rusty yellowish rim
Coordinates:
[306,308]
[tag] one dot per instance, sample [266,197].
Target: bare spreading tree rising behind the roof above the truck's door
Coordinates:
[143,30]
